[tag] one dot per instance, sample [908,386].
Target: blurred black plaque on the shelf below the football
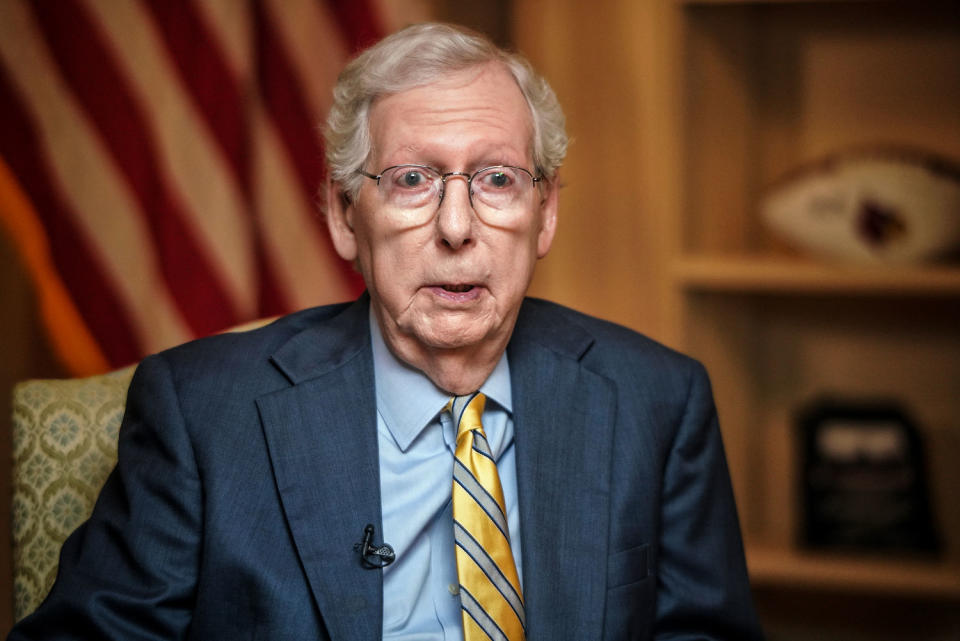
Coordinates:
[864,479]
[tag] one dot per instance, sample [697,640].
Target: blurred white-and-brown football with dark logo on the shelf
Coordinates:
[880,205]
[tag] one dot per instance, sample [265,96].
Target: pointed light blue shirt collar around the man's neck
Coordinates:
[408,401]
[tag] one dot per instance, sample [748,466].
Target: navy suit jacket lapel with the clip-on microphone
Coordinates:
[321,435]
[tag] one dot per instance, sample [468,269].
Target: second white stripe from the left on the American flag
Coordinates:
[194,168]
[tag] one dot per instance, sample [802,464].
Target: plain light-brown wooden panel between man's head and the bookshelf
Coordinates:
[608,256]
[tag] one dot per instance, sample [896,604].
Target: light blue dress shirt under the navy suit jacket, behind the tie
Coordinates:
[416,442]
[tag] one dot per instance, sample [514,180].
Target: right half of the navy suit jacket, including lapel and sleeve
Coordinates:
[622,483]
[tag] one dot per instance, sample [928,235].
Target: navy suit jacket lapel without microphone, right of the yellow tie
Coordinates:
[563,417]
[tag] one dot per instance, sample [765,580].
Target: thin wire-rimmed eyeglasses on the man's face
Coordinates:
[499,194]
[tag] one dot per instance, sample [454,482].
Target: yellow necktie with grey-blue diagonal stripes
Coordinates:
[490,595]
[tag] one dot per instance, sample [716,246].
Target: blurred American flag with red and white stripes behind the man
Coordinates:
[160,162]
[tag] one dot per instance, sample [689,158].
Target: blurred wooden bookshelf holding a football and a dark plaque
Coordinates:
[765,87]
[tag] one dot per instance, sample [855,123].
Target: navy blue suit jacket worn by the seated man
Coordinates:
[248,469]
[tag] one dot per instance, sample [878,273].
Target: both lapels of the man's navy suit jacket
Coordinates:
[321,435]
